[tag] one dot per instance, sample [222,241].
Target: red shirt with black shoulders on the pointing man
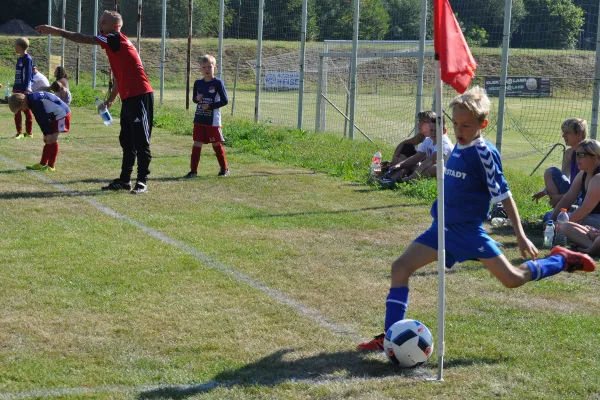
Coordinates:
[125,64]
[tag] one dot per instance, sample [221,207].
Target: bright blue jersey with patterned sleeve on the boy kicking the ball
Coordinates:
[473,179]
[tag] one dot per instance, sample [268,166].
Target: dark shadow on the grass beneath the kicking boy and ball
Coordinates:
[321,368]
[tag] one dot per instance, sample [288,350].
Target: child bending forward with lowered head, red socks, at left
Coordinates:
[52,115]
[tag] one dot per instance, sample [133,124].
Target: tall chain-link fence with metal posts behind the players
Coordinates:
[550,65]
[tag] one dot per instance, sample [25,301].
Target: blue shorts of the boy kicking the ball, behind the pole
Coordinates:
[463,242]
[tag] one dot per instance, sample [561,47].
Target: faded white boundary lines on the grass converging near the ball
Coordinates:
[203,258]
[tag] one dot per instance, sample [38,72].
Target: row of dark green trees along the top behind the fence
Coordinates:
[554,24]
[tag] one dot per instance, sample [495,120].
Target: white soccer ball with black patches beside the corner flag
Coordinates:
[408,343]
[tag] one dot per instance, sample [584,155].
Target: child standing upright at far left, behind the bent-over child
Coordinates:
[23,82]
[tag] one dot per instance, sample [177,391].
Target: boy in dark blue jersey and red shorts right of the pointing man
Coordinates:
[209,95]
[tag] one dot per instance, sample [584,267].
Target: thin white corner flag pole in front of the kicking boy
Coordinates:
[441,218]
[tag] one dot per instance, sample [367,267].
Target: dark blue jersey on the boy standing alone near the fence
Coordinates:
[214,94]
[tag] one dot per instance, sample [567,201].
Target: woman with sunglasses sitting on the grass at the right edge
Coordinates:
[586,185]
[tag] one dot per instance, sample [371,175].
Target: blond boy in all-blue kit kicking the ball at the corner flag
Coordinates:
[473,179]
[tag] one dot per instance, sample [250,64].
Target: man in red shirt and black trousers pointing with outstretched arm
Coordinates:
[132,85]
